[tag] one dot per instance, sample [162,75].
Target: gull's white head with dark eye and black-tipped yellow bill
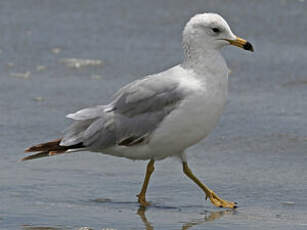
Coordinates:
[211,31]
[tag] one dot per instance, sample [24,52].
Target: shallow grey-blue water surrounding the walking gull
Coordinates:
[256,156]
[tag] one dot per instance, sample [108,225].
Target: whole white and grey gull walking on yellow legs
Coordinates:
[163,114]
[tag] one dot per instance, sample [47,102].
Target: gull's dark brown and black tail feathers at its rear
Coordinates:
[49,149]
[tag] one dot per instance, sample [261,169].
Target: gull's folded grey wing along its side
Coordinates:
[135,112]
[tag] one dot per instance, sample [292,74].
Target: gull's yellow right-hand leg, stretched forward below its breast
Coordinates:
[217,201]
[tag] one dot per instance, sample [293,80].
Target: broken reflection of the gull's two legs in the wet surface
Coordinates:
[209,216]
